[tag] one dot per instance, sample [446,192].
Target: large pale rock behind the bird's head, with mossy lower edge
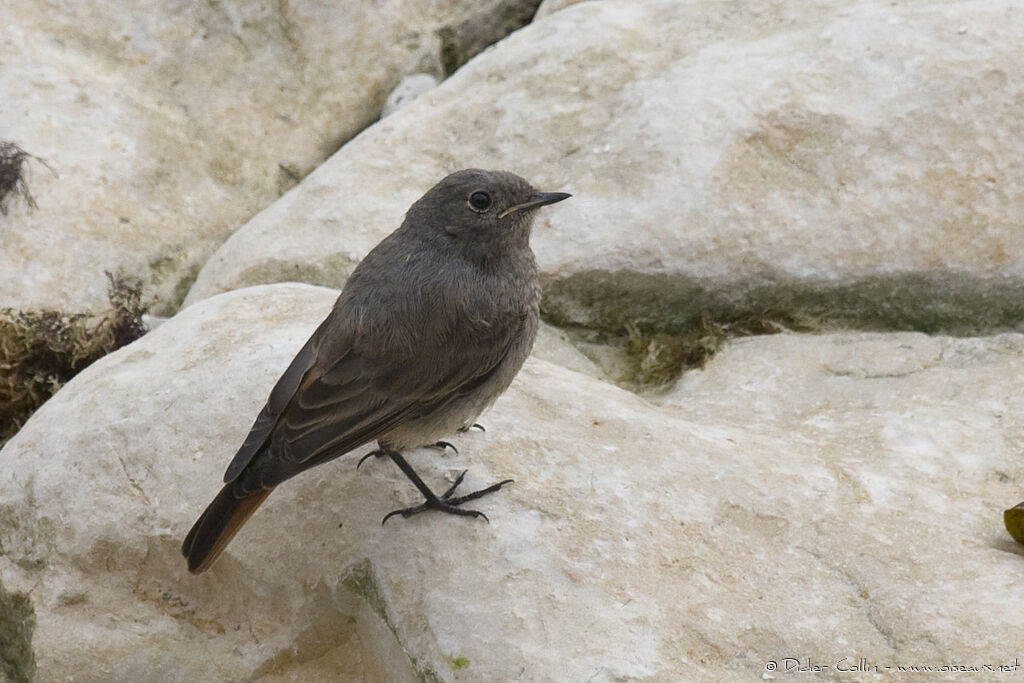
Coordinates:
[858,162]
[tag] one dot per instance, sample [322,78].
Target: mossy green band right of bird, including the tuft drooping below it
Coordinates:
[657,326]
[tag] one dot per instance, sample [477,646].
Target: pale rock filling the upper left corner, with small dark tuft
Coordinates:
[169,124]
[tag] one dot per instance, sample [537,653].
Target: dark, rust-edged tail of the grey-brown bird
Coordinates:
[219,525]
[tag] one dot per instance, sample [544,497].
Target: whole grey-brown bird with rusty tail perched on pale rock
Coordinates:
[430,330]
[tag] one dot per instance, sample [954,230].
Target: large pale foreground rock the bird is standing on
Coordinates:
[852,510]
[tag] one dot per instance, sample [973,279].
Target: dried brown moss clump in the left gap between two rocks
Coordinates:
[41,351]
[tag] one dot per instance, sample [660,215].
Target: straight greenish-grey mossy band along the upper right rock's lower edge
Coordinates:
[933,304]
